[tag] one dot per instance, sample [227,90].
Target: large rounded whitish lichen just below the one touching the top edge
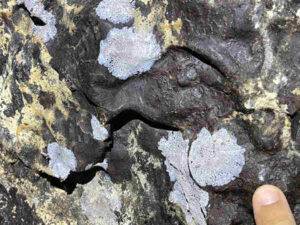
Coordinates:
[126,52]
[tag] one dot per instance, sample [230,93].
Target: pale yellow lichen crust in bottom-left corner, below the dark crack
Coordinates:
[51,205]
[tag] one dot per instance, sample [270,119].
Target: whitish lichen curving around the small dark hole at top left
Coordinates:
[36,8]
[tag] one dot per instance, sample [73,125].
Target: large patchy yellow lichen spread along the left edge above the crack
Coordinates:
[27,125]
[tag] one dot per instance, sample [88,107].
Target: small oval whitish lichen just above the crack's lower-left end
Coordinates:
[62,160]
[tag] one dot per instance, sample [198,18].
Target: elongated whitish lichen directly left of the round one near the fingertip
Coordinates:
[191,199]
